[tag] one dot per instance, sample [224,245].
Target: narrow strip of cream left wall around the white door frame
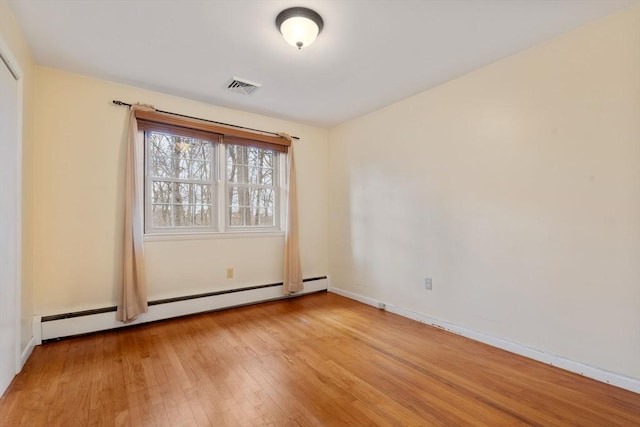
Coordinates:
[16,42]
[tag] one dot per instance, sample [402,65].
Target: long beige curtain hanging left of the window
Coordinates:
[133,295]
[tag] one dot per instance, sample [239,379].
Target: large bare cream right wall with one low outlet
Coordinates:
[516,188]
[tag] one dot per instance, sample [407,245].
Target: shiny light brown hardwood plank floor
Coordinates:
[314,360]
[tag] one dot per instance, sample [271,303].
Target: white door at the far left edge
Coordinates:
[9,223]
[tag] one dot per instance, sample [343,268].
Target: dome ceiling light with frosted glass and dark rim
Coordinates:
[299,26]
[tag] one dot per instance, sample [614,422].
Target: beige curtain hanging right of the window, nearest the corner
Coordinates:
[292,269]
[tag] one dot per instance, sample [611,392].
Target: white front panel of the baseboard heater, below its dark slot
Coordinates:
[85,324]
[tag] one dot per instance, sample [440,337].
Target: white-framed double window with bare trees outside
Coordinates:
[204,182]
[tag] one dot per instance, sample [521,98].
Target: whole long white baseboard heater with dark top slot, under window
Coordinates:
[83,322]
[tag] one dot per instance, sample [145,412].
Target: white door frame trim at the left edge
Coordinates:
[7,58]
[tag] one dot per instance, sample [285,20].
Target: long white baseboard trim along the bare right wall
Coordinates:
[627,383]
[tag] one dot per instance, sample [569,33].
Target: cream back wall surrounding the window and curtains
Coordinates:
[78,208]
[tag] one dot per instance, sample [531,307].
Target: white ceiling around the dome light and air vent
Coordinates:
[371,52]
